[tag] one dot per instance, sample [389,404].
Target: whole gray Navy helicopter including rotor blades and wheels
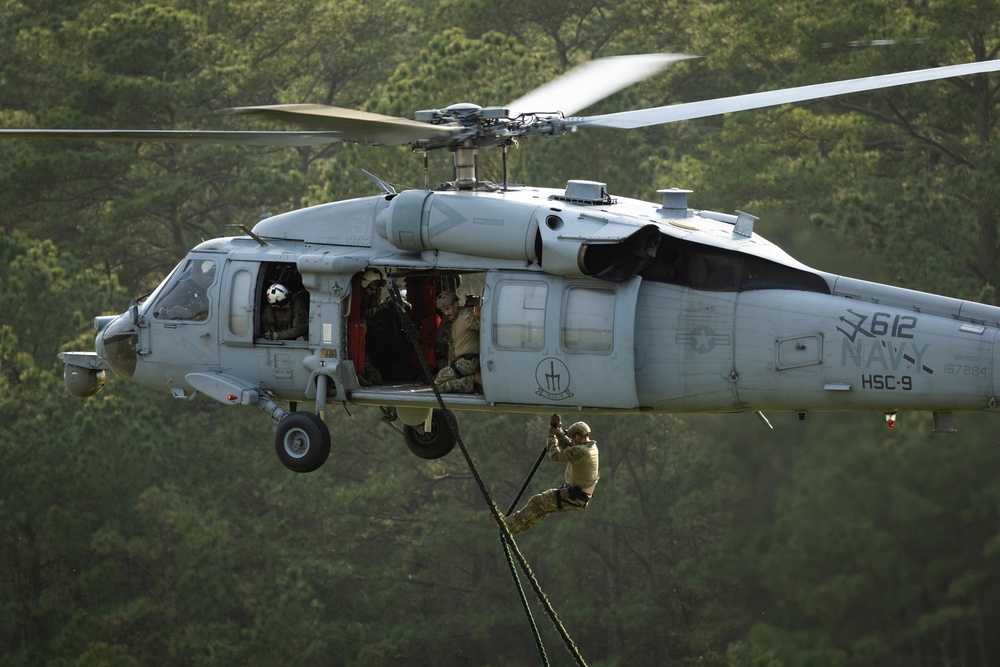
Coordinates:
[589,302]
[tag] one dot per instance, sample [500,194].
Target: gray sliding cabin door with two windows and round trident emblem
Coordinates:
[564,342]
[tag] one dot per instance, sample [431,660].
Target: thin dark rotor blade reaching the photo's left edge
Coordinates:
[182,136]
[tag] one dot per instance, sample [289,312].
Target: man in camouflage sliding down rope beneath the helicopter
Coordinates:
[574,448]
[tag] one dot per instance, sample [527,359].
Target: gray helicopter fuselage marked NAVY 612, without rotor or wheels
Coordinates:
[589,303]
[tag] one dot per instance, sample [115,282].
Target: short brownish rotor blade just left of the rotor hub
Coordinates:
[350,125]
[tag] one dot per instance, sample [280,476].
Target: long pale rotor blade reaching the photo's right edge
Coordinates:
[627,120]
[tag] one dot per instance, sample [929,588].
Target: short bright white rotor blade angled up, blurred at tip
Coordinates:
[592,81]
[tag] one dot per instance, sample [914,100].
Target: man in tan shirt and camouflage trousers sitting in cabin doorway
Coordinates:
[461,375]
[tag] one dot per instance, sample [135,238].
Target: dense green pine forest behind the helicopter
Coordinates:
[139,530]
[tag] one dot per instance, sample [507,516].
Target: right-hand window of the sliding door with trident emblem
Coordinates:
[588,320]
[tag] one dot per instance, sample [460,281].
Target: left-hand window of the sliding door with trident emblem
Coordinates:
[520,316]
